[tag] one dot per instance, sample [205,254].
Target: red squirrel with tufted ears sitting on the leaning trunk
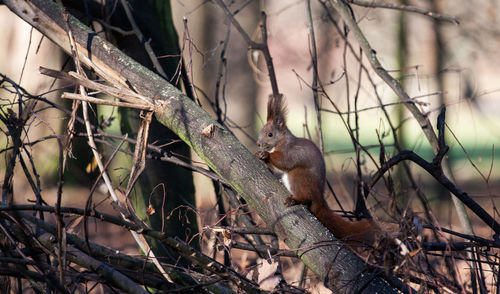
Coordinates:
[302,167]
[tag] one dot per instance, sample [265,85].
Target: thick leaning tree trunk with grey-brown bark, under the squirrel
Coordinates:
[341,270]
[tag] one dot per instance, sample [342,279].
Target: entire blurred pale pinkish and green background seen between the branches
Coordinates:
[438,63]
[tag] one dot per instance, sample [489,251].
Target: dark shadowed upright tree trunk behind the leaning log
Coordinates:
[168,188]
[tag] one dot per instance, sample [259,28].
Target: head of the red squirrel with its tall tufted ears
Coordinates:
[275,129]
